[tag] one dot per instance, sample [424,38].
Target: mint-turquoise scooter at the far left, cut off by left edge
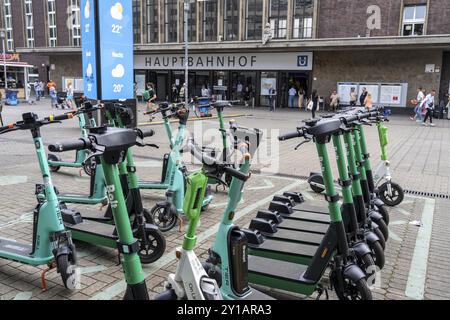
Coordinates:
[52,244]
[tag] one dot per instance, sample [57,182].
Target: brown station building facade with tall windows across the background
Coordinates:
[240,48]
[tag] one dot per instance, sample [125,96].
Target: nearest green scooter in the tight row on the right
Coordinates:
[346,277]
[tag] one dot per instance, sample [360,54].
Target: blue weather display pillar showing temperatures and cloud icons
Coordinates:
[107,43]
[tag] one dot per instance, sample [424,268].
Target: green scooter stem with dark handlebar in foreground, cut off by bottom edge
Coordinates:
[111,145]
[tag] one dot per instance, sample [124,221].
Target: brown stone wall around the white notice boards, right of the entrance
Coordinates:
[376,66]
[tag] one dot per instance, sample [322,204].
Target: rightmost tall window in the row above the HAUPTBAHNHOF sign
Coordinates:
[303,17]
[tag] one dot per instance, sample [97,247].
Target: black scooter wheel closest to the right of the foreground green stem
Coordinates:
[152,247]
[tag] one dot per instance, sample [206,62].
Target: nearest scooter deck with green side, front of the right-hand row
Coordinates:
[279,274]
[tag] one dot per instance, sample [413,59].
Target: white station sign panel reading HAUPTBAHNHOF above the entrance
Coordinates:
[228,61]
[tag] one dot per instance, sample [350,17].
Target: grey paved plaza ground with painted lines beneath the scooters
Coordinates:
[417,255]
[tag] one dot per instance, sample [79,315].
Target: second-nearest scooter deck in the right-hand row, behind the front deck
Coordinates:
[286,251]
